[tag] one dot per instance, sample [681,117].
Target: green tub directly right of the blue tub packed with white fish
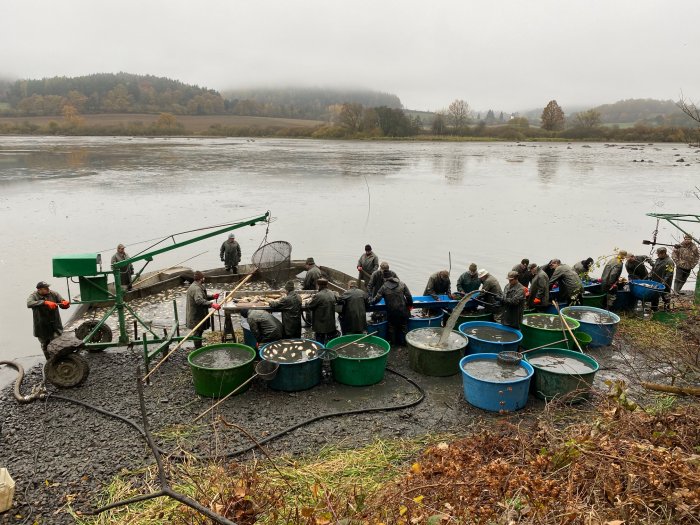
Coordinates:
[358,360]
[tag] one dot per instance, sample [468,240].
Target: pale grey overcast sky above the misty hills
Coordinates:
[503,54]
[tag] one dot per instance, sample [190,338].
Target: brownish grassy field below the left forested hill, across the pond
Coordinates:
[196,124]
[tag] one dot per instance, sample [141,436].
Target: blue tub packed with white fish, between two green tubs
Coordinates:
[299,363]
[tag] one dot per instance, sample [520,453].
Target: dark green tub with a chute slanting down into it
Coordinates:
[426,359]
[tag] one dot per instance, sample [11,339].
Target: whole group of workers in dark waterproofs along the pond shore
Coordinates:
[528,286]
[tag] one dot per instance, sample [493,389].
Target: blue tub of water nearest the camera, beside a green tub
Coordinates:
[501,396]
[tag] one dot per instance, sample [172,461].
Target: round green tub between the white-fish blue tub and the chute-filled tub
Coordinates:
[356,371]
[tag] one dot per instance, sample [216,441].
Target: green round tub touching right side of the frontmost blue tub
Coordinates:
[556,381]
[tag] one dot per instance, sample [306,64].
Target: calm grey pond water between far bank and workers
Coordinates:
[422,206]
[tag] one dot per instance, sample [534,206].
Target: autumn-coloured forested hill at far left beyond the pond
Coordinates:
[109,93]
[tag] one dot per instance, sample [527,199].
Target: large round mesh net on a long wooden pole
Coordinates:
[271,260]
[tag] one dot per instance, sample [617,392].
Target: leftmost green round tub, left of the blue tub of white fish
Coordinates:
[215,381]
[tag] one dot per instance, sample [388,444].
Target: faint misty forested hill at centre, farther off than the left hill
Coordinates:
[305,103]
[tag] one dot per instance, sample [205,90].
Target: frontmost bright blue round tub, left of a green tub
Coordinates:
[496,395]
